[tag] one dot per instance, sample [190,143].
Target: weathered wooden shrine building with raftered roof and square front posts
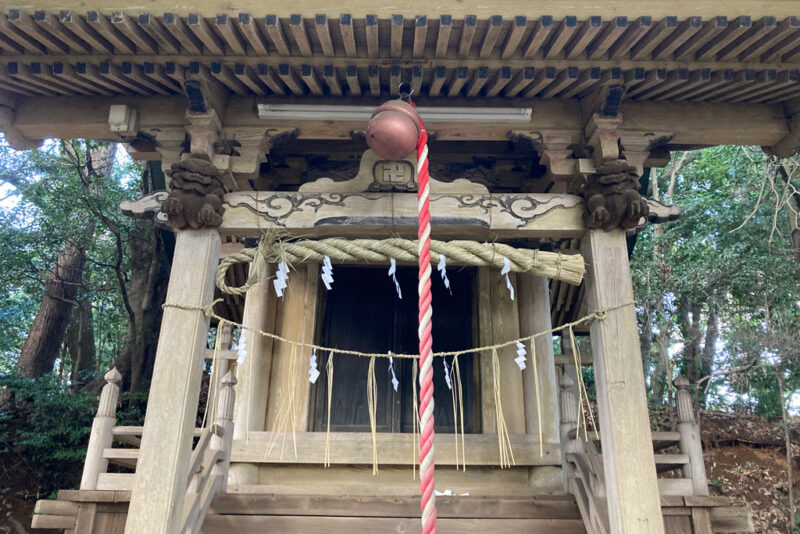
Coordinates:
[544,120]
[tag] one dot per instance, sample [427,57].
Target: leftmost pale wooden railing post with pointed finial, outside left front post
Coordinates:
[102,431]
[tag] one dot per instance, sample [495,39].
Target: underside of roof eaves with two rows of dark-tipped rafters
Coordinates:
[714,59]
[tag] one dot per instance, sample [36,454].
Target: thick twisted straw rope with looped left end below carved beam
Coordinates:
[568,268]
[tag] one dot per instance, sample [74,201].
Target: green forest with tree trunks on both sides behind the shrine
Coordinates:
[81,288]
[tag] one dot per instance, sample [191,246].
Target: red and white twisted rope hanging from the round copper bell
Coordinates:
[426,450]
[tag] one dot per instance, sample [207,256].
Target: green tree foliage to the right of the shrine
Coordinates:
[729,247]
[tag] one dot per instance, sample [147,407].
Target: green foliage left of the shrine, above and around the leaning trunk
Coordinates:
[46,204]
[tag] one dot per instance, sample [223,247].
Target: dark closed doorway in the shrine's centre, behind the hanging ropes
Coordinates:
[363,312]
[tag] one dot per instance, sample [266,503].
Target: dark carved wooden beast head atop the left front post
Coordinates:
[195,198]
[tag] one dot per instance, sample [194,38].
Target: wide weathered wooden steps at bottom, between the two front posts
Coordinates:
[256,513]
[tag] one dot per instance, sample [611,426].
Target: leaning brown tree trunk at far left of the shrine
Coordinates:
[44,340]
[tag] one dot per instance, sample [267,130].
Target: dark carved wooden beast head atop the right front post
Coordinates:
[612,197]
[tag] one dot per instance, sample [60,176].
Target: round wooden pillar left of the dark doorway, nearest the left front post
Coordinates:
[252,389]
